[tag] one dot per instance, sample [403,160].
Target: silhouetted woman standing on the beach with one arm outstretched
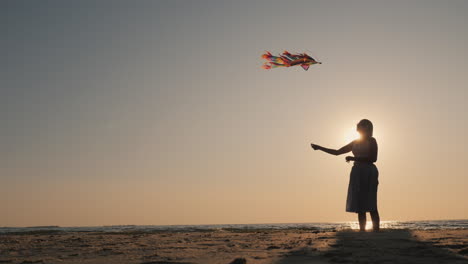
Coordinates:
[363,181]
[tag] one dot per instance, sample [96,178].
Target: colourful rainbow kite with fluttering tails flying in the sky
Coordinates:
[287,59]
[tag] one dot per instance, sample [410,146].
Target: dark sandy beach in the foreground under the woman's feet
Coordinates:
[224,246]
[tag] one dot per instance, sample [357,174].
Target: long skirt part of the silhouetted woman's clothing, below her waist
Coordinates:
[362,188]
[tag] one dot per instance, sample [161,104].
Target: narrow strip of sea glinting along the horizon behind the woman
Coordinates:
[413,225]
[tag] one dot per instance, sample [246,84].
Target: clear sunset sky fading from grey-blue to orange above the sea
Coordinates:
[158,112]
